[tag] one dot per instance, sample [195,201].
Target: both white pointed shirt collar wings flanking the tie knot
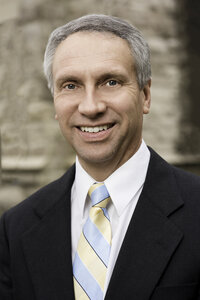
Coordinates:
[122,185]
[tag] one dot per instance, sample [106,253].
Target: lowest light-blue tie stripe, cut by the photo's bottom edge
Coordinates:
[86,280]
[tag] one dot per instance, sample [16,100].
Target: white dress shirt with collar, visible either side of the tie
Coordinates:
[124,186]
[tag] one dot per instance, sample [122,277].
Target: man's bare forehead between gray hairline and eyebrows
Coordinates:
[83,50]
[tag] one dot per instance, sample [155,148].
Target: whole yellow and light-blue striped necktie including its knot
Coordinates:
[92,256]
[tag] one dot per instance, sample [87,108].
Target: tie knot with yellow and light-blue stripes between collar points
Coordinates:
[99,195]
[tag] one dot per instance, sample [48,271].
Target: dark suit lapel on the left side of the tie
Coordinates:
[47,246]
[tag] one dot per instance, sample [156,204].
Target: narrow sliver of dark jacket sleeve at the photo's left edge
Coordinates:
[5,272]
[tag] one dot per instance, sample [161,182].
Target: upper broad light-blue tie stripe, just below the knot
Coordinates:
[97,241]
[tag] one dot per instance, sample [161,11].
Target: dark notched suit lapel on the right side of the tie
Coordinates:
[151,238]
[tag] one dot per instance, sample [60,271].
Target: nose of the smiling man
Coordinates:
[91,104]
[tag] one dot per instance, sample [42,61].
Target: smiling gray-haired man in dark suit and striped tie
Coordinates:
[140,236]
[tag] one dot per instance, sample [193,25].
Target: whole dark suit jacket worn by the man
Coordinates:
[159,258]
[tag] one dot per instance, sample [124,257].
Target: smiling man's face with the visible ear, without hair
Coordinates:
[97,99]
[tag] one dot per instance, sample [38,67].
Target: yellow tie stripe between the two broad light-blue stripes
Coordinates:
[88,256]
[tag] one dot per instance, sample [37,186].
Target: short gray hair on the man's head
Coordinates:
[102,23]
